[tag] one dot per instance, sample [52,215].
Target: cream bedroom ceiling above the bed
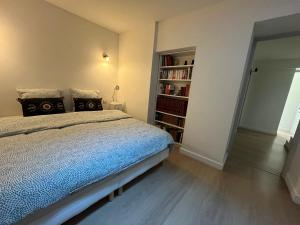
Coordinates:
[124,15]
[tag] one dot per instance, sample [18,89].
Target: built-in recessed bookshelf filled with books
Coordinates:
[172,94]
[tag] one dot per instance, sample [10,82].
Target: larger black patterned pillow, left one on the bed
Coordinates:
[42,106]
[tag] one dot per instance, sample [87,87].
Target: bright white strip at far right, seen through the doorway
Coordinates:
[289,117]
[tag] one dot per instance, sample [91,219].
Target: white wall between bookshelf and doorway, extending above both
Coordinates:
[222,34]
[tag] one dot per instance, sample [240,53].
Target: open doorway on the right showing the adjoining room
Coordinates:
[269,115]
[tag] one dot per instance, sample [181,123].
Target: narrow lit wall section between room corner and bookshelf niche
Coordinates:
[135,62]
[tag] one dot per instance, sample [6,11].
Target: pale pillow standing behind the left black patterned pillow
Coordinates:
[39,93]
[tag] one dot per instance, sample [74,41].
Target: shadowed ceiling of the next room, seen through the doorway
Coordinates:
[284,48]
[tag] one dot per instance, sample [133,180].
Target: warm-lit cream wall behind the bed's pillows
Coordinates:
[42,46]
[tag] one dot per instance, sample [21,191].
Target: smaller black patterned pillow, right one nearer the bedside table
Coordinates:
[88,104]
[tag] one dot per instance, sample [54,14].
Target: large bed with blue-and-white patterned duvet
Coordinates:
[55,166]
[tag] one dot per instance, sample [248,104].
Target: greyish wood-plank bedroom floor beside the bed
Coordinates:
[186,192]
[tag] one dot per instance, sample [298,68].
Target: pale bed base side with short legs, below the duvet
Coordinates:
[77,202]
